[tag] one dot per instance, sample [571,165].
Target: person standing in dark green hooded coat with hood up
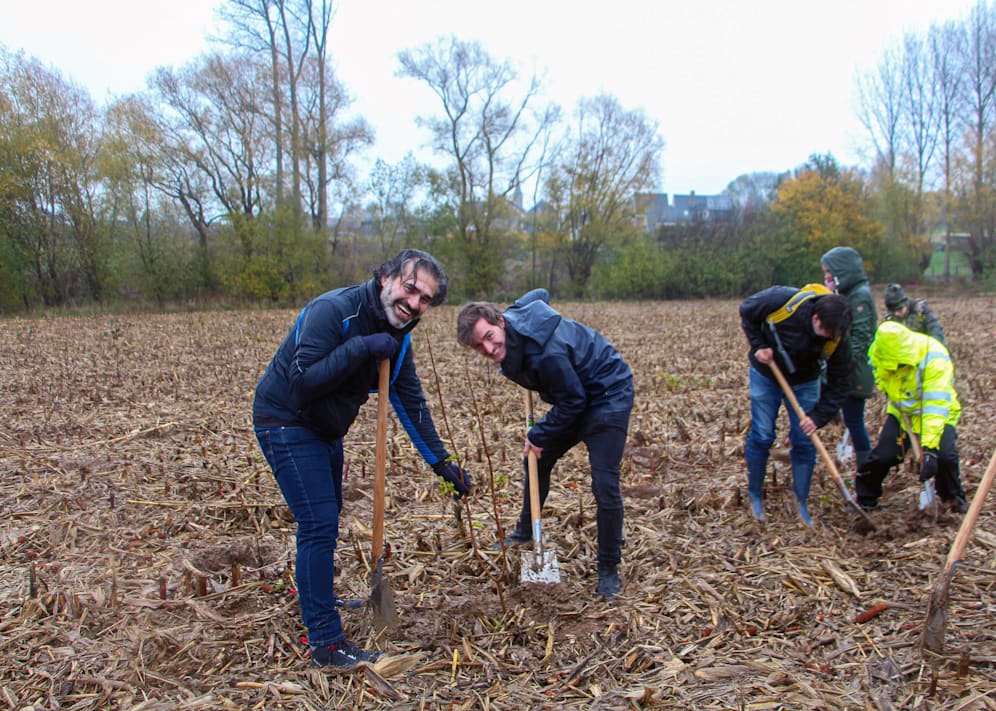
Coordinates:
[844,272]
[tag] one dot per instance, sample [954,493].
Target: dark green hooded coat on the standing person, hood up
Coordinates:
[848,270]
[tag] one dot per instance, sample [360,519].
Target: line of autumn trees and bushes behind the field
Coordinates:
[234,178]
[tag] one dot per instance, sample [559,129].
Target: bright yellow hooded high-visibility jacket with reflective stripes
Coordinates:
[916,374]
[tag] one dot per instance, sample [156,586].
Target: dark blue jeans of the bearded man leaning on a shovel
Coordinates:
[309,473]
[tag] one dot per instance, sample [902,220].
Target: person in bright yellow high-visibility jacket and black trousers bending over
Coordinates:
[915,373]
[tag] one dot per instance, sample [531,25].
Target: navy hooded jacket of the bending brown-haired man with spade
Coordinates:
[572,366]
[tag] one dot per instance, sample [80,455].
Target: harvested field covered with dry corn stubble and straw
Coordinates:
[146,555]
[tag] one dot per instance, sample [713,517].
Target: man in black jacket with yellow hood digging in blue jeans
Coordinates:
[799,345]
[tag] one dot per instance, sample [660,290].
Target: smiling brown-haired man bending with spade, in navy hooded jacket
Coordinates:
[590,388]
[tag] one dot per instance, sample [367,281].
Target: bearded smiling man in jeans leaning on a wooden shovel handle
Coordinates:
[309,396]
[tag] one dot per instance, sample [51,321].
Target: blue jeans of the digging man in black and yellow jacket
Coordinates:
[766,397]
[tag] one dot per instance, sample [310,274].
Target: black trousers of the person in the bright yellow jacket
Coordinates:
[890,450]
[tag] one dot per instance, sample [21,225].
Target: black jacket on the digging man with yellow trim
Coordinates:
[804,347]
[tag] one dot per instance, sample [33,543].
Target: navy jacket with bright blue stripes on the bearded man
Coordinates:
[323,372]
